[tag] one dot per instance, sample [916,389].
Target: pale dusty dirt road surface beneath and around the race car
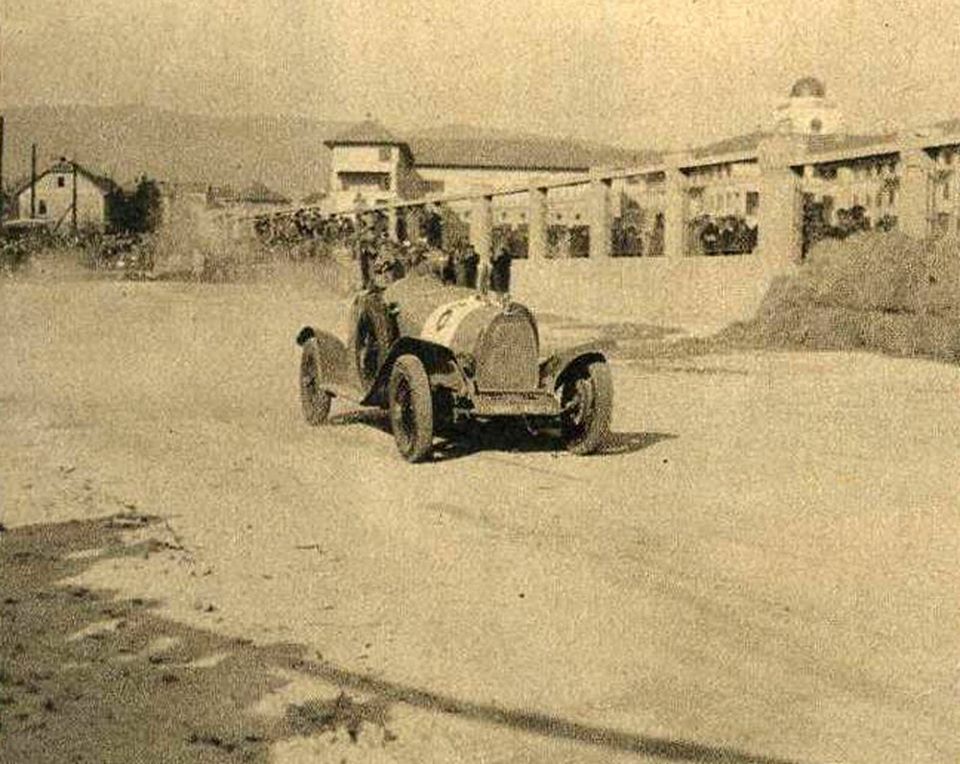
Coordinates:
[761,567]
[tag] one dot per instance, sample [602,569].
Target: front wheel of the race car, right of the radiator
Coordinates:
[586,396]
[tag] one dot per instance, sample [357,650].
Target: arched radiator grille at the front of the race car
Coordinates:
[507,355]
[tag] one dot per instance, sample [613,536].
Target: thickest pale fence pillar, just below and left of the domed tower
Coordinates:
[780,216]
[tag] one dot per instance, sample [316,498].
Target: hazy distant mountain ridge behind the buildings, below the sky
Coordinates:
[284,153]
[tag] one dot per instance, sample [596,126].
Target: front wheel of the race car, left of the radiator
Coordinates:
[411,408]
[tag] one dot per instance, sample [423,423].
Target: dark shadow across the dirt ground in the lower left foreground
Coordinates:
[75,686]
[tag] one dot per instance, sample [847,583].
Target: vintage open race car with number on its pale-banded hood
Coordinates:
[434,355]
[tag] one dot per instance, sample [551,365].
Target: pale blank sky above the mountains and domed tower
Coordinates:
[642,73]
